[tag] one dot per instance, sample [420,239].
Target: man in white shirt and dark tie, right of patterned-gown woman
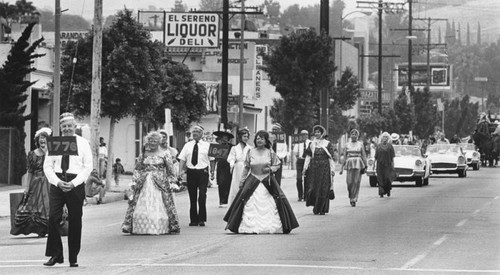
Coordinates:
[194,162]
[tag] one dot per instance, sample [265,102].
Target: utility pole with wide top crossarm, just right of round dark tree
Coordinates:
[381,6]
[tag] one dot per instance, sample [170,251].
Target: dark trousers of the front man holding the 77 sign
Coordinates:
[74,202]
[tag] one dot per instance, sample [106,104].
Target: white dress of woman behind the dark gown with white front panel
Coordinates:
[236,161]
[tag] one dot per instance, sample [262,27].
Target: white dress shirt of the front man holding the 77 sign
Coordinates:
[80,165]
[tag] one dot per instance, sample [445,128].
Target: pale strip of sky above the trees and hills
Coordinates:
[85,8]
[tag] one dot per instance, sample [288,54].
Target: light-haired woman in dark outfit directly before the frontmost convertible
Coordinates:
[384,159]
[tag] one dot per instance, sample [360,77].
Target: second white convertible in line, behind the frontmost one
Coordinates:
[447,159]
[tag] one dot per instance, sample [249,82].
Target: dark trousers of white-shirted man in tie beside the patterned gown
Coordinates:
[197,179]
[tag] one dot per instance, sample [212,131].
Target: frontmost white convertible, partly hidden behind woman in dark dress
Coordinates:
[409,165]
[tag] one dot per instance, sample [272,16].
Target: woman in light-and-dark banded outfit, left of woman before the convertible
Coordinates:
[355,164]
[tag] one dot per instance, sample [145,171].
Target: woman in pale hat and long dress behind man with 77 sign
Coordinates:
[32,215]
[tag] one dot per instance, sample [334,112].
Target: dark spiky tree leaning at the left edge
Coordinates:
[13,93]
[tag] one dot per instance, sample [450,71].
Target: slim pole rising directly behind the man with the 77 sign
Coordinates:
[56,100]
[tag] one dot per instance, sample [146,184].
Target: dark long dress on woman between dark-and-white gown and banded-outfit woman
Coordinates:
[319,180]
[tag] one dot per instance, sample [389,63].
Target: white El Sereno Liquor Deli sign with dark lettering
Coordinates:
[199,30]
